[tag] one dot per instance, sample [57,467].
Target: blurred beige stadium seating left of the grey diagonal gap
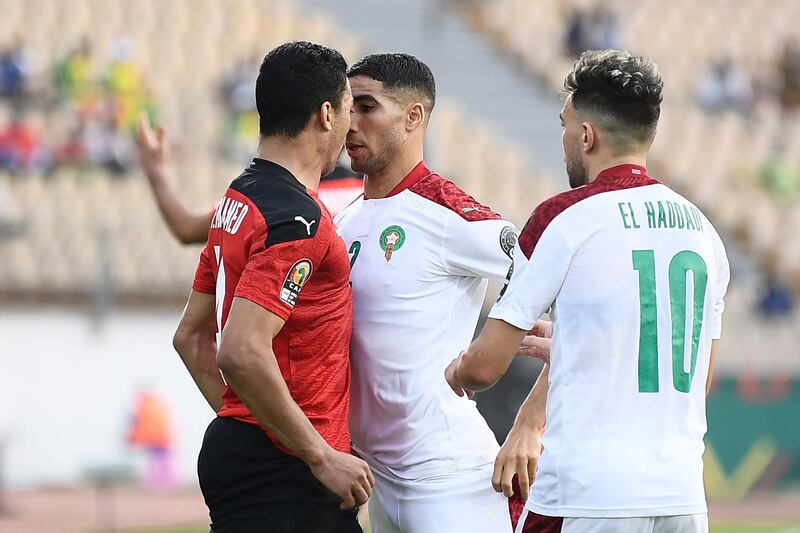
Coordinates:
[86,230]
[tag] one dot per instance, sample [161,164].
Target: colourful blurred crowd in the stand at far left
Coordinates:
[71,113]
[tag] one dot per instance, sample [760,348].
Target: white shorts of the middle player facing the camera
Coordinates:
[463,502]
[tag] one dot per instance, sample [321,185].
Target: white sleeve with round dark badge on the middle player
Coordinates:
[480,248]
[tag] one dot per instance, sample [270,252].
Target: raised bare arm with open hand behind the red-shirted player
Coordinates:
[187,226]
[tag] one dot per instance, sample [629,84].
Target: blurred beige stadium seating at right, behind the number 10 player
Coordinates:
[718,160]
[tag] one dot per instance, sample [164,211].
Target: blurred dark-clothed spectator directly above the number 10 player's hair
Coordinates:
[591,30]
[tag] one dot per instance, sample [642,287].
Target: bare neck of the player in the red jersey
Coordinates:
[295,155]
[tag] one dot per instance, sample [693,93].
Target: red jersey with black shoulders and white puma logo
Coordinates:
[273,242]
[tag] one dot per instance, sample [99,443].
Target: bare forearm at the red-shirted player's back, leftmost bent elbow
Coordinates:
[198,352]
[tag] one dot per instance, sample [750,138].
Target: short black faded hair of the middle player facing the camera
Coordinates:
[399,72]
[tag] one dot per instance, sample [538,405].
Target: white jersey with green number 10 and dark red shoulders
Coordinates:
[634,275]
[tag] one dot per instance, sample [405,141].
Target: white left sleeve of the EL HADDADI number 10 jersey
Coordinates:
[534,282]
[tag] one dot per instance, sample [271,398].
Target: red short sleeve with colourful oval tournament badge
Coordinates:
[274,276]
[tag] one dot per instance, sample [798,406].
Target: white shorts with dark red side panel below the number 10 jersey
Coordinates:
[692,523]
